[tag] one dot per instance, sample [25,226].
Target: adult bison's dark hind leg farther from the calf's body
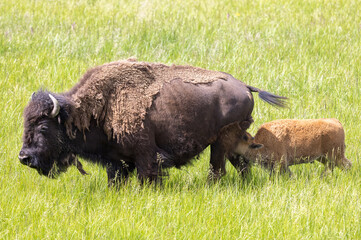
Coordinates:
[217,162]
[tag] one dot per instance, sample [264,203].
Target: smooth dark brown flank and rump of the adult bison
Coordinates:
[188,117]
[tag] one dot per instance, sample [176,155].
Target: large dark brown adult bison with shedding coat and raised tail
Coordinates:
[129,115]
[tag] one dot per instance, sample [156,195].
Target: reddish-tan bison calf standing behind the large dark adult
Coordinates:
[281,143]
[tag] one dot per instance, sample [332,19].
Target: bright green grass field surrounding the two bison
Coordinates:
[307,50]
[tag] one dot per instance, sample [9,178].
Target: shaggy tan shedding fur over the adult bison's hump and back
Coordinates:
[119,93]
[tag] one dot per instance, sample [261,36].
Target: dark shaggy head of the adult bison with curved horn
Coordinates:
[46,145]
